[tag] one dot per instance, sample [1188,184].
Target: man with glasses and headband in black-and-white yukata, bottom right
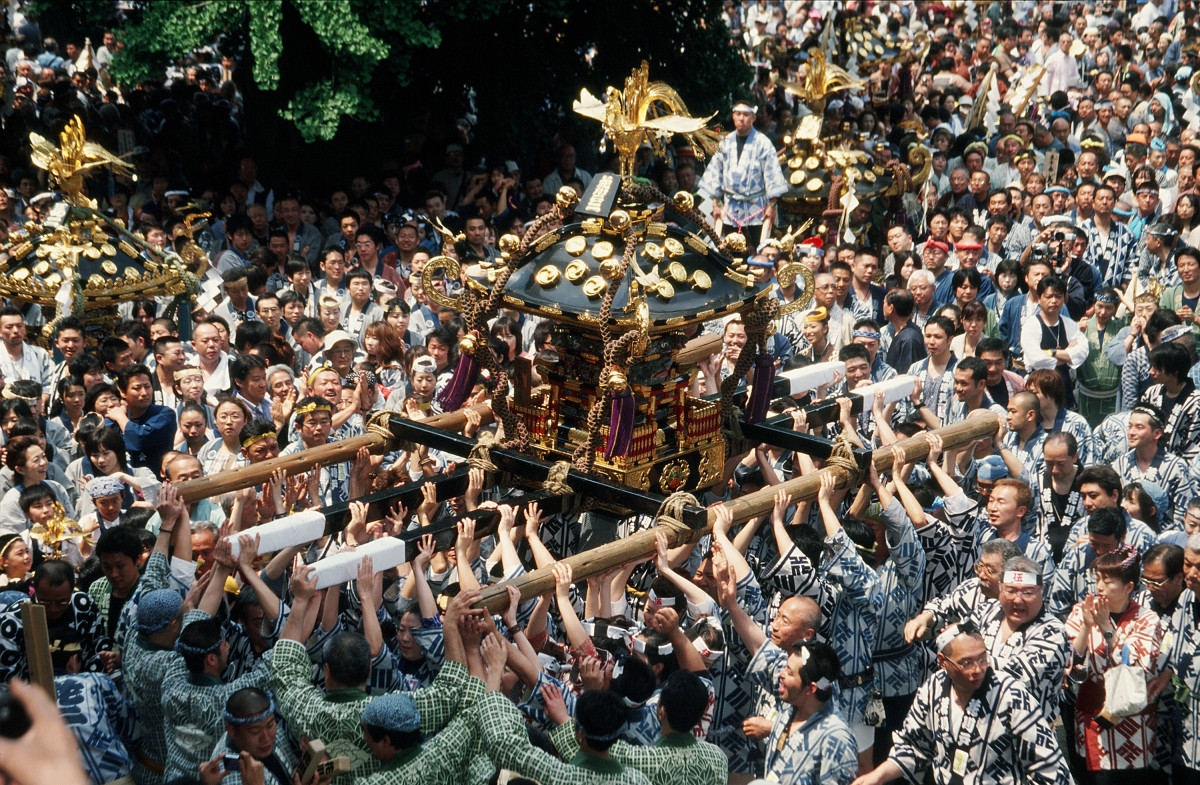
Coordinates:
[971,724]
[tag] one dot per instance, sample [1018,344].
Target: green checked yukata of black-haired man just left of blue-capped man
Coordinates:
[335,716]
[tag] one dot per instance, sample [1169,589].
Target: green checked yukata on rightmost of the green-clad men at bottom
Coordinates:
[675,759]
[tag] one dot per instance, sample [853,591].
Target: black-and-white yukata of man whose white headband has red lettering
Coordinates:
[1037,655]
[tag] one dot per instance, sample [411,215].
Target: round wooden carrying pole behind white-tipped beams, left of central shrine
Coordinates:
[323,456]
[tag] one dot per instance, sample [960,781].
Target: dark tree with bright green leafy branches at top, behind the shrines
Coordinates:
[327,67]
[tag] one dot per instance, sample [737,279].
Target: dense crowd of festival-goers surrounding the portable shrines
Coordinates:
[1023,608]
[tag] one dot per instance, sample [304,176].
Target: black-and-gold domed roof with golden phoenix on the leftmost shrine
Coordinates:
[81,261]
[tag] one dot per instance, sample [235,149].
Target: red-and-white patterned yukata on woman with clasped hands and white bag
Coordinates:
[1131,742]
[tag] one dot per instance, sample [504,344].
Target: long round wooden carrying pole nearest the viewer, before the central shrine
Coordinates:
[641,544]
